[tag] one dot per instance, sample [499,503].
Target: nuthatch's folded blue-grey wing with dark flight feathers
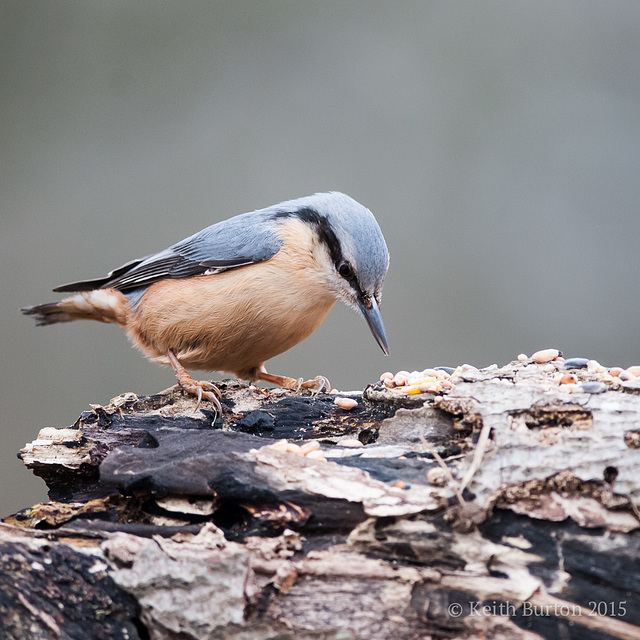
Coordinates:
[236,242]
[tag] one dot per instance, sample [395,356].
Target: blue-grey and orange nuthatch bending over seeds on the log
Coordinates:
[241,291]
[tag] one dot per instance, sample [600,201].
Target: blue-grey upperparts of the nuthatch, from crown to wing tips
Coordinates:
[349,230]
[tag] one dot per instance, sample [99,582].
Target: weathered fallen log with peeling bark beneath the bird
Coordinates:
[503,505]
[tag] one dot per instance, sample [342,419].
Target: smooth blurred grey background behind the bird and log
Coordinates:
[498,144]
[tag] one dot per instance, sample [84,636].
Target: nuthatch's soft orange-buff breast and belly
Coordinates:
[236,320]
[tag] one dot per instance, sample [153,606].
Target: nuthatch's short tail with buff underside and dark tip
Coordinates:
[104,305]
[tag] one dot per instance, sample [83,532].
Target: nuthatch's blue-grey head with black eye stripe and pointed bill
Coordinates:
[353,255]
